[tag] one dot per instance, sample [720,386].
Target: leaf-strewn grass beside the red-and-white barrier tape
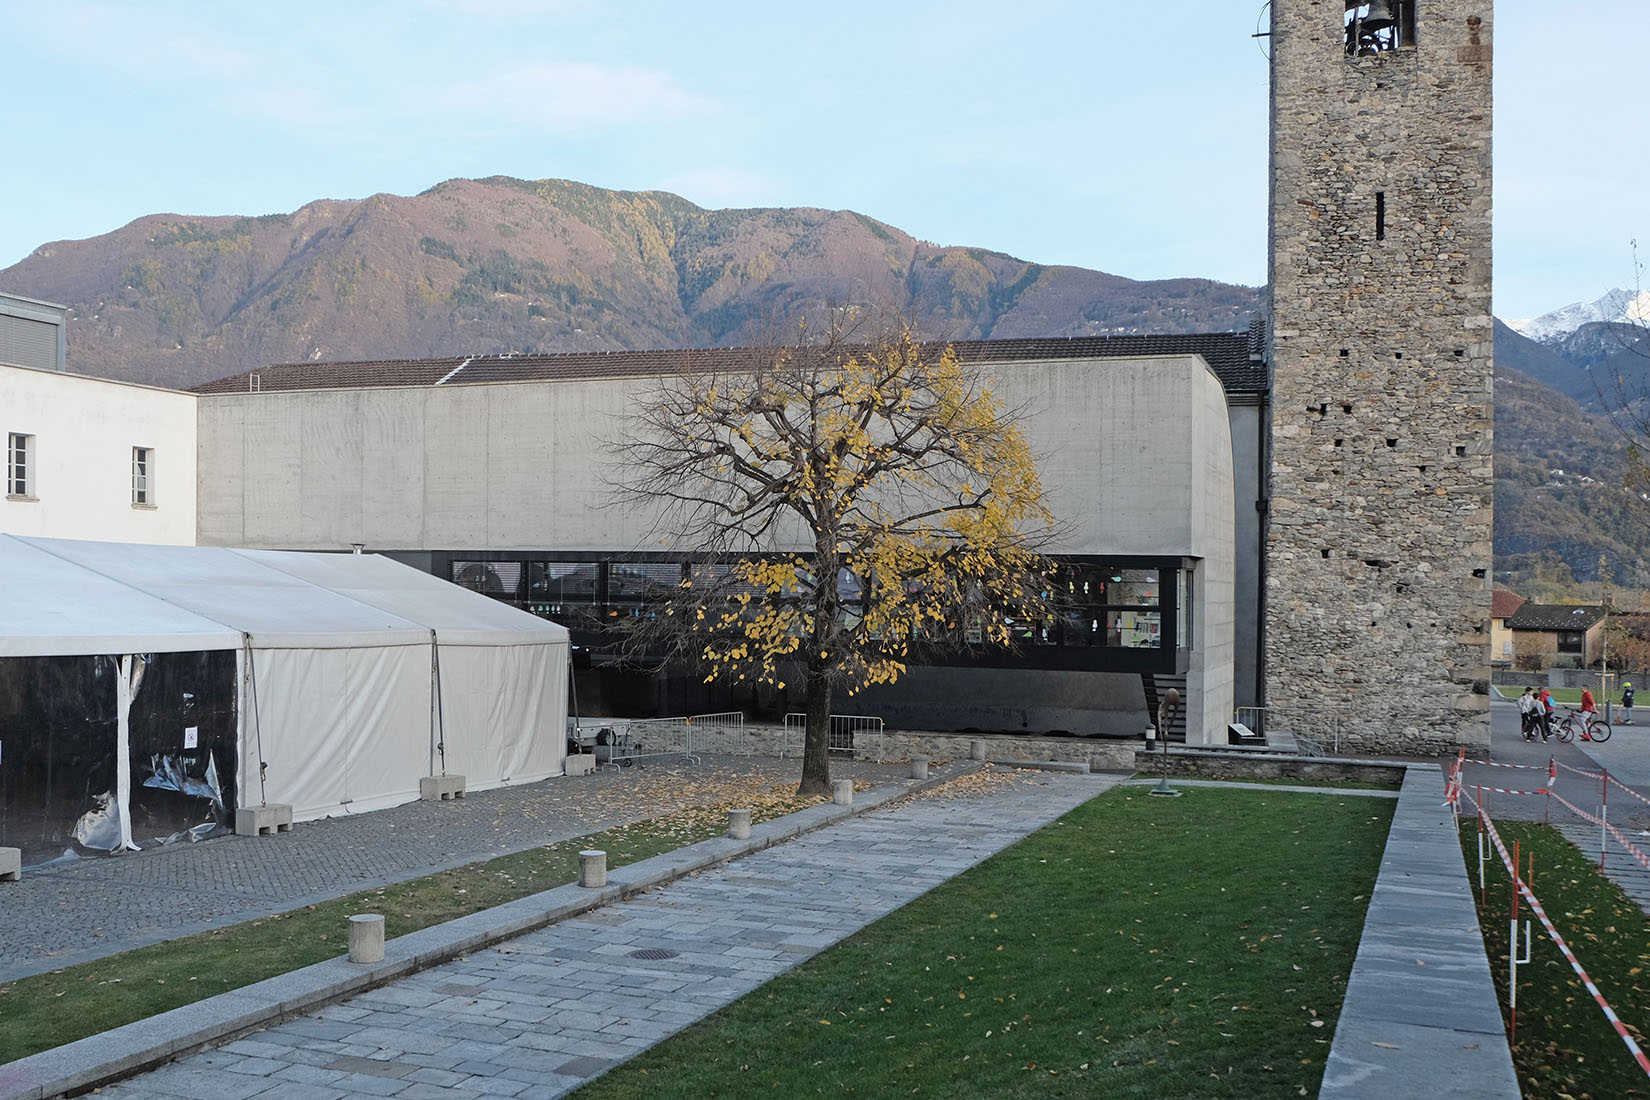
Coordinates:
[1565,1046]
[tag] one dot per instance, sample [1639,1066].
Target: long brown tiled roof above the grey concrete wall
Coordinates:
[1227,354]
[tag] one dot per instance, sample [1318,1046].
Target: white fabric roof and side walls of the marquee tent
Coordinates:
[356,675]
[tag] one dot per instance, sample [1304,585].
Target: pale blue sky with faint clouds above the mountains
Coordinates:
[1111,134]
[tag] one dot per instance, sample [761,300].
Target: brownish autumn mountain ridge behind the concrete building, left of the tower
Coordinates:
[502,265]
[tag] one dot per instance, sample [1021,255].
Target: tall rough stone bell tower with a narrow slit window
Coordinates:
[1382,481]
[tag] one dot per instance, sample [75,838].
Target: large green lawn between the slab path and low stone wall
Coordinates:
[1138,947]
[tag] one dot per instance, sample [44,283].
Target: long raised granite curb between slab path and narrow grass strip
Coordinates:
[148,1043]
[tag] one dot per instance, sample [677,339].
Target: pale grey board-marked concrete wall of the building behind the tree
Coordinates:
[1136,456]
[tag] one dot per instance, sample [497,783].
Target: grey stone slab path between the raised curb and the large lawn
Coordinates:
[540,1015]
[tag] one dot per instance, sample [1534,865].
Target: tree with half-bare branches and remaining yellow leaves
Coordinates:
[849,507]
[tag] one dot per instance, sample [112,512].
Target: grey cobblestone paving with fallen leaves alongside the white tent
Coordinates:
[68,913]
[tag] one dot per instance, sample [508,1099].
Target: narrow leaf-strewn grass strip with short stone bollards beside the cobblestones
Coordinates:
[49,1010]
